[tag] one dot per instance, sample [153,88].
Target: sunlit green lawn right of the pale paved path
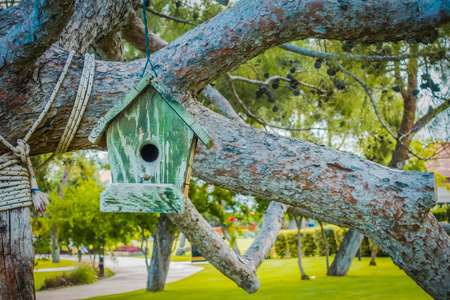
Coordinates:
[280,279]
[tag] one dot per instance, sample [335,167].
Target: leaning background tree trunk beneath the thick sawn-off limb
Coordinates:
[346,253]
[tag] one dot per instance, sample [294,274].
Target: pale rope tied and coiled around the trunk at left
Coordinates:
[18,186]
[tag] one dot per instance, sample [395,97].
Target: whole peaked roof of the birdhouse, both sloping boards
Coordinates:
[98,131]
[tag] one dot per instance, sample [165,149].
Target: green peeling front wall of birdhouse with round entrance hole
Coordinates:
[149,143]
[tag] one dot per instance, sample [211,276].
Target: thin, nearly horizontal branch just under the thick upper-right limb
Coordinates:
[337,56]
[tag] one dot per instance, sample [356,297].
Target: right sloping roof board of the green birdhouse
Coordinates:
[182,112]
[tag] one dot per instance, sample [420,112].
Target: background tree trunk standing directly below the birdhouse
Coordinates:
[162,249]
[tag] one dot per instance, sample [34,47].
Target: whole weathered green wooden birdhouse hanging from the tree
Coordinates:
[151,140]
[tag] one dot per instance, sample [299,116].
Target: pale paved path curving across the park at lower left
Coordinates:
[131,275]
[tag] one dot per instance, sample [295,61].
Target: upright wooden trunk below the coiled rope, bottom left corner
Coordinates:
[16,255]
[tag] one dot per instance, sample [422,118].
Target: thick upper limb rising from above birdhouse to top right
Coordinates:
[278,22]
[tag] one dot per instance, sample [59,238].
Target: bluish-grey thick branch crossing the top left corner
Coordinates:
[28,30]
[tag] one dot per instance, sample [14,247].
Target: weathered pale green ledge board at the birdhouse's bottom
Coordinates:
[139,197]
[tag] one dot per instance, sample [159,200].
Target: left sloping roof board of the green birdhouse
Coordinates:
[104,121]
